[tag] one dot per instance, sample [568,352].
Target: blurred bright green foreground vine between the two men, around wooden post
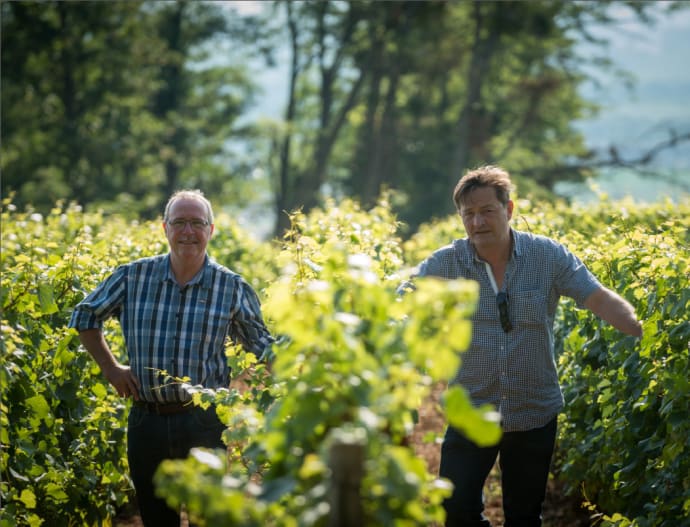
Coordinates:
[353,358]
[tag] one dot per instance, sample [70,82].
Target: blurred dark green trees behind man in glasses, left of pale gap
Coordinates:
[116,104]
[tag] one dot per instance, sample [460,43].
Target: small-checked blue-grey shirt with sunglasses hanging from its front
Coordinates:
[515,371]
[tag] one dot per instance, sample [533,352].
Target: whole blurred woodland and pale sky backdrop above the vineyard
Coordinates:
[113,105]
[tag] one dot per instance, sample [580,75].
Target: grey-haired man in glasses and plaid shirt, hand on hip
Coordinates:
[176,311]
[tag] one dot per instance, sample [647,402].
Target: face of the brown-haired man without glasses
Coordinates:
[486,219]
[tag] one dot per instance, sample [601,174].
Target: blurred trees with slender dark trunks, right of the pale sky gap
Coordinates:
[410,94]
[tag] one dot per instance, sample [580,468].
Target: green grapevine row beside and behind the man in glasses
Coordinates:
[62,427]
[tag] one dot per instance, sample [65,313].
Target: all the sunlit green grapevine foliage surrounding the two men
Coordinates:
[353,358]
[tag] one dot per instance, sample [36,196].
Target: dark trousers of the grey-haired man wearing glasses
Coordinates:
[152,438]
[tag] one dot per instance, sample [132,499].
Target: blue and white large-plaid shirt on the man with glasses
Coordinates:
[180,330]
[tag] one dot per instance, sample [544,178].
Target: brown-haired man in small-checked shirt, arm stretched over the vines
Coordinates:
[510,362]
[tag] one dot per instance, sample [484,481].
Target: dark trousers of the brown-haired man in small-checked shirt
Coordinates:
[524,459]
